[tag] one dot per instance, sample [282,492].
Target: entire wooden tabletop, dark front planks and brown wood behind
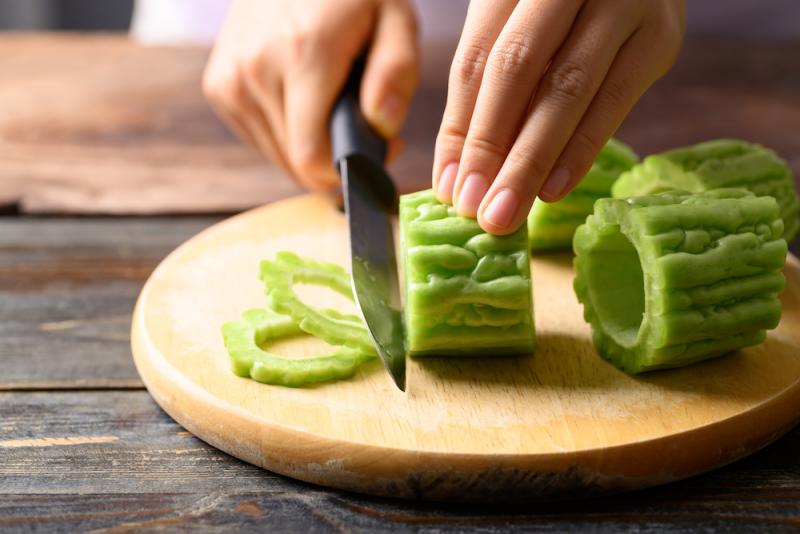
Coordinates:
[82,444]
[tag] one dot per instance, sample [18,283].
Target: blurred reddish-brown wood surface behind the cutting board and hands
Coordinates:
[129,131]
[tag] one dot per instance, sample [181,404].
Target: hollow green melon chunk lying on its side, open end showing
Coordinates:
[674,278]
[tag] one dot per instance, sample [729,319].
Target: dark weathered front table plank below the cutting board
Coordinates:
[143,471]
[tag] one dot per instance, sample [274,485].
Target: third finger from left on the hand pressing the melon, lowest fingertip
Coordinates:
[563,95]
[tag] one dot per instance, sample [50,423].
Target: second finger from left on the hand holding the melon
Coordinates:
[518,58]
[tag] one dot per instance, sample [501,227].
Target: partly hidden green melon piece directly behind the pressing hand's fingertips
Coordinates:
[551,225]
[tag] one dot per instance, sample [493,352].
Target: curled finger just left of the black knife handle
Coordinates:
[316,71]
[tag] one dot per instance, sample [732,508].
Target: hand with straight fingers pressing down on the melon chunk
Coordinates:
[536,89]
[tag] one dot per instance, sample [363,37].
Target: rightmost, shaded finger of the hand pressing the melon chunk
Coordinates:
[629,77]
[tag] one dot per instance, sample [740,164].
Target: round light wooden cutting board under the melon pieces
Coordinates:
[560,423]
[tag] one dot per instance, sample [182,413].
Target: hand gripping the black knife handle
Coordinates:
[278,66]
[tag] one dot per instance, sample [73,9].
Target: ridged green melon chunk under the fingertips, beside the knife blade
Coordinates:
[467,292]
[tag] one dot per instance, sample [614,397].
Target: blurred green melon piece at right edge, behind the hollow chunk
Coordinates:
[717,164]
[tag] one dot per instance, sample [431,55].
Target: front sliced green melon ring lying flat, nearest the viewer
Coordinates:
[243,340]
